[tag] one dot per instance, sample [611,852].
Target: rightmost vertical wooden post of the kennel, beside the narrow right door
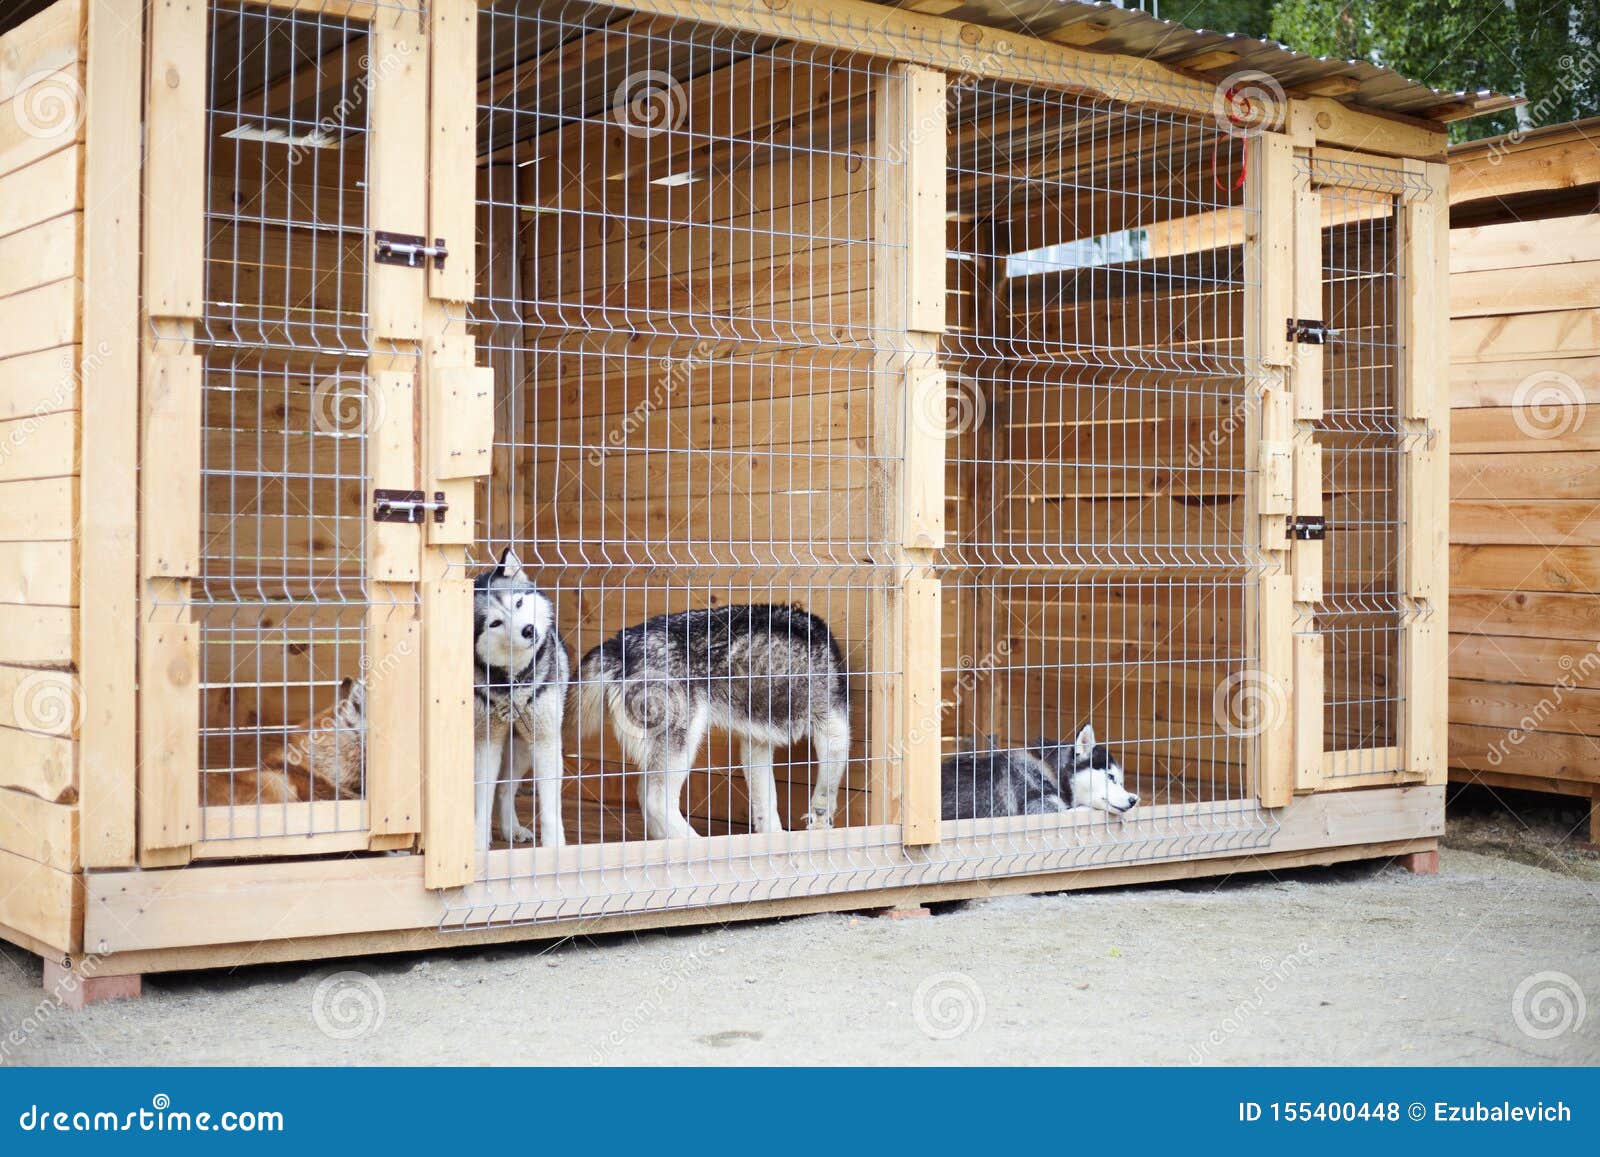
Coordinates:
[1425,647]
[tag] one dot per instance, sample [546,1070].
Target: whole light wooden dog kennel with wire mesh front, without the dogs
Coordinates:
[962,543]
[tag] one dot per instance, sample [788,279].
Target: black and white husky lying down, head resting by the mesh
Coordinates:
[1047,777]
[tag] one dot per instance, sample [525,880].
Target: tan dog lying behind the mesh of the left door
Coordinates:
[321,761]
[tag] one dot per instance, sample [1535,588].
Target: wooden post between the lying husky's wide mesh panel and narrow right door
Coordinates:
[1270,607]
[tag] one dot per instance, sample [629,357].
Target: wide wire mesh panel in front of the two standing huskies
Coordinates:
[678,250]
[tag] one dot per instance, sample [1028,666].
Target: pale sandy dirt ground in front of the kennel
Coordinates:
[1495,961]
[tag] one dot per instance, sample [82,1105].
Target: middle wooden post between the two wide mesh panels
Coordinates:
[908,287]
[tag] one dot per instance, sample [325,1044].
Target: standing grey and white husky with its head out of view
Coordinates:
[770,676]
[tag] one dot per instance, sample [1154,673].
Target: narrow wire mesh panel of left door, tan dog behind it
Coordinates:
[282,596]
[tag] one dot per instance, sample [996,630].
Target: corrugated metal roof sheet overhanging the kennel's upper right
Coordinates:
[1105,28]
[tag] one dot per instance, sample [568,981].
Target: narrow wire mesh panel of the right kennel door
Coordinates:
[1364,442]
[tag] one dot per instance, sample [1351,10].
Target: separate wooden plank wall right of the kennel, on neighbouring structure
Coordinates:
[1526,505]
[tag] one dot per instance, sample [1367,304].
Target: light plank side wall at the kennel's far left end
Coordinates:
[42,113]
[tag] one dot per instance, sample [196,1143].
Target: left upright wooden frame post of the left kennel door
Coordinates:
[175,198]
